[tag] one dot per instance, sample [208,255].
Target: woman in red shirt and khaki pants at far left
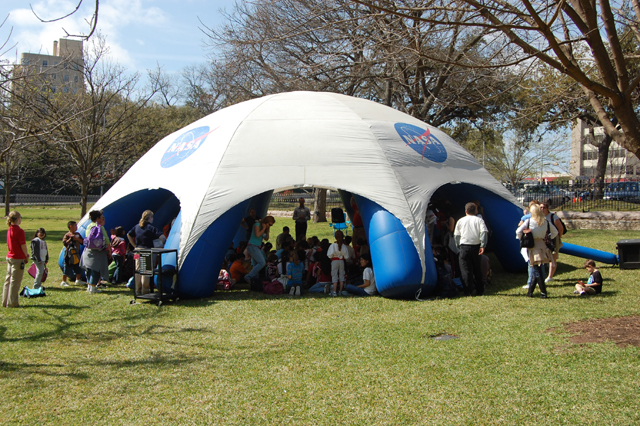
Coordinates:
[17,258]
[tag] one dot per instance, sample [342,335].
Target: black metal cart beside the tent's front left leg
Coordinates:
[150,265]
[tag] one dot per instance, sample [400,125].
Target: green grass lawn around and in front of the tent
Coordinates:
[244,358]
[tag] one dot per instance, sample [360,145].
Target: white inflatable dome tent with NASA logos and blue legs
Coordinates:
[210,173]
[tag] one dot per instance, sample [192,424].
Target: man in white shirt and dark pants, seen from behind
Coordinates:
[471,237]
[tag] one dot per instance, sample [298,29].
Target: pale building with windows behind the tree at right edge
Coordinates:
[622,165]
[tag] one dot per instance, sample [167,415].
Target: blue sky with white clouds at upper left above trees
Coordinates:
[141,34]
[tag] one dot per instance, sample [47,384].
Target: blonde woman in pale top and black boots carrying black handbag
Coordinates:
[539,254]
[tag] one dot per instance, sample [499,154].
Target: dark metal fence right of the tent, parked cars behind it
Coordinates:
[584,196]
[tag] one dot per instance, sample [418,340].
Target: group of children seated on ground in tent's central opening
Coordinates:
[314,265]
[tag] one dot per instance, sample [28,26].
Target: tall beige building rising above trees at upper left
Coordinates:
[61,72]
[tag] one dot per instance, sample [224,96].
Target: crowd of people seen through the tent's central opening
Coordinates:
[298,264]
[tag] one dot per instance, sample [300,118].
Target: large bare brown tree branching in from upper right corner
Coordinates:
[592,43]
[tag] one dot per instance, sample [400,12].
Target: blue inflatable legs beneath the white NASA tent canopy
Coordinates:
[399,273]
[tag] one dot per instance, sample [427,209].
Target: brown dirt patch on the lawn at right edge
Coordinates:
[623,331]
